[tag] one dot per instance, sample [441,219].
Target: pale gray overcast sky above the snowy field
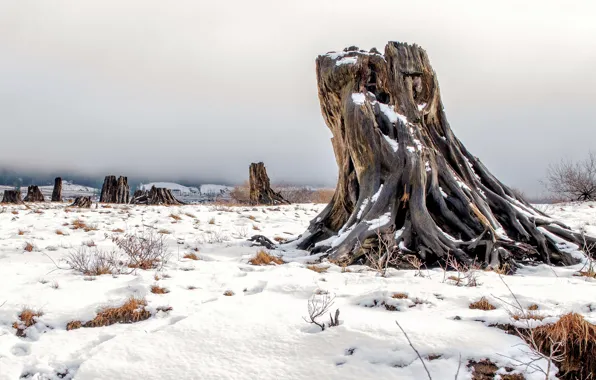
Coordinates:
[199,89]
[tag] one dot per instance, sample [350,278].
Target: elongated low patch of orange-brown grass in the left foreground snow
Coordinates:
[131,311]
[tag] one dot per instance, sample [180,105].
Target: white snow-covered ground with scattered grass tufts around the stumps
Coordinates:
[259,331]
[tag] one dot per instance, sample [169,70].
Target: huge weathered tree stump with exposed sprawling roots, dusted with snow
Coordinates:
[406,183]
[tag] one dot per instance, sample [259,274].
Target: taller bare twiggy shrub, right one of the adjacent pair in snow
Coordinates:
[144,249]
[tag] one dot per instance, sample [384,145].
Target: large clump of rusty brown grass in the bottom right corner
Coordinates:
[578,339]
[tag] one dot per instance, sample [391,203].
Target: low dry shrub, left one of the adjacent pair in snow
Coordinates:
[93,262]
